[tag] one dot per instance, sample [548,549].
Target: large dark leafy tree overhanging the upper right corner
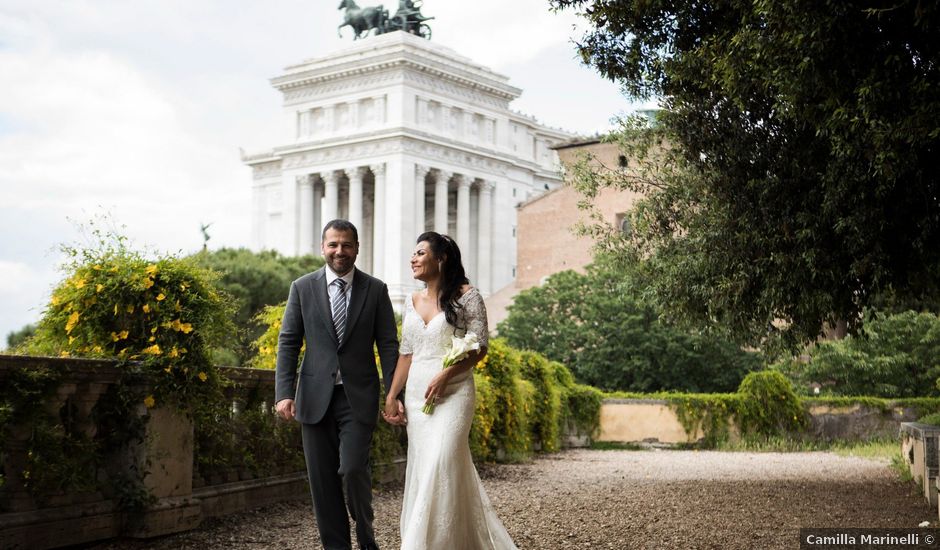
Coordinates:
[791,175]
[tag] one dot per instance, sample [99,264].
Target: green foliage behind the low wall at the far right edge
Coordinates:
[892,356]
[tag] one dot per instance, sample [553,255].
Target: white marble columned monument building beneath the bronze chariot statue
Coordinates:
[400,135]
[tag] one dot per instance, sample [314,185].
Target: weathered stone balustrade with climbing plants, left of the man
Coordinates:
[98,497]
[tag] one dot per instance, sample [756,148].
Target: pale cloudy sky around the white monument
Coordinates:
[138,109]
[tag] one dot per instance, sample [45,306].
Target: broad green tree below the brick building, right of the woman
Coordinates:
[610,336]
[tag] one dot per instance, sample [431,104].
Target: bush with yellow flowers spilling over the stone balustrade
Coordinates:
[117,303]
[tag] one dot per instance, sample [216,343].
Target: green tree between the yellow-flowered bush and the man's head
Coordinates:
[254,280]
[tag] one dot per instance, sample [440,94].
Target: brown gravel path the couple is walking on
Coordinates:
[628,499]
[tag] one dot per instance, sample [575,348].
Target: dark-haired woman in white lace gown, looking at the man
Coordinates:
[445,505]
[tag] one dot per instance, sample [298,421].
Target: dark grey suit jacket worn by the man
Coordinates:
[370,320]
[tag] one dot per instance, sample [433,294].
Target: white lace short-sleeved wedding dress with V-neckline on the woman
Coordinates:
[445,505]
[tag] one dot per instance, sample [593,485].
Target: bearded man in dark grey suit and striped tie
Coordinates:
[341,312]
